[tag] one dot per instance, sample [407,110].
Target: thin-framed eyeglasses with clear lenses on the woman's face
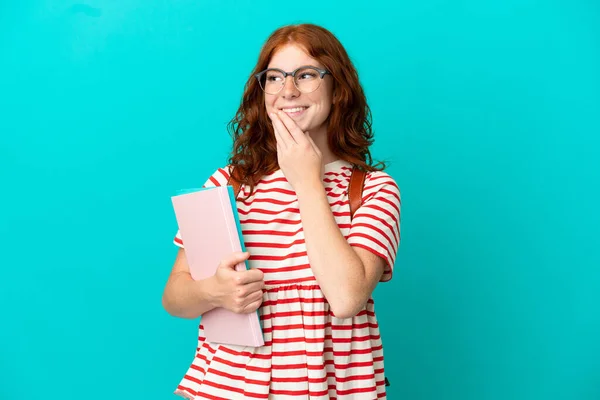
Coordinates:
[307,79]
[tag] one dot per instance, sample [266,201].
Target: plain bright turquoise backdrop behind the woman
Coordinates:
[487,111]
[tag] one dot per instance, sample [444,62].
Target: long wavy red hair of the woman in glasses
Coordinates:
[349,132]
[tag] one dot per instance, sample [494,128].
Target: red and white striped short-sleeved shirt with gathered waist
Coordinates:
[308,353]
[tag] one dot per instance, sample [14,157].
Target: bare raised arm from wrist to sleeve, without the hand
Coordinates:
[347,275]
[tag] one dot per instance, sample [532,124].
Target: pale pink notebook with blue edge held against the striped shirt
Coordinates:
[210,230]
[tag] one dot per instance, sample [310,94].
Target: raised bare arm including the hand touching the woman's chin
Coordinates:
[347,276]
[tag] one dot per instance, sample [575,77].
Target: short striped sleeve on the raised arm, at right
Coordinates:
[376,224]
